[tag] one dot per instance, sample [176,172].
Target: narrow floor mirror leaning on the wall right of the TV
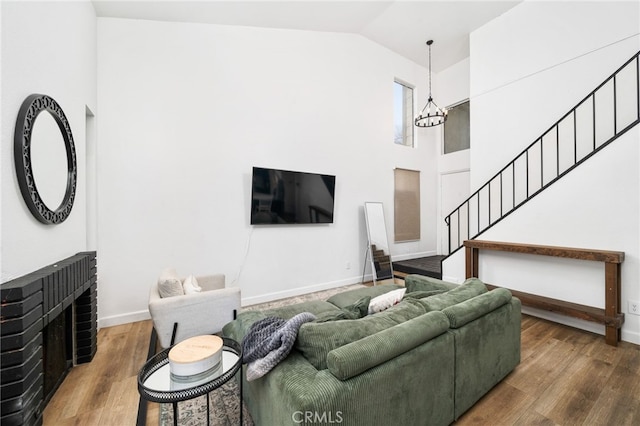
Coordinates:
[382,268]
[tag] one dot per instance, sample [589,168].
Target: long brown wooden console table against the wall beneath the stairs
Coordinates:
[610,316]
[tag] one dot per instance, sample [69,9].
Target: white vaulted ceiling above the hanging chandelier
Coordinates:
[402,26]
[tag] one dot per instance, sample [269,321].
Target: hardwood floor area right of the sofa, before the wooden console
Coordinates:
[566,377]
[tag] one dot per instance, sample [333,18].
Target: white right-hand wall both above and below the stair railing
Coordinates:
[523,78]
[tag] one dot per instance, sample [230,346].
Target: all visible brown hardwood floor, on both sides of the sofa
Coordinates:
[566,377]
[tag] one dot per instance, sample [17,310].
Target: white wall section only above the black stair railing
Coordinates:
[533,64]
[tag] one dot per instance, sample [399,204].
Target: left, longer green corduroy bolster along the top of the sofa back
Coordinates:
[354,358]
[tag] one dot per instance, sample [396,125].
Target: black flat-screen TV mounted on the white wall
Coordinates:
[288,197]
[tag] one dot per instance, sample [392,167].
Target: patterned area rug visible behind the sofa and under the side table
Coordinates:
[223,402]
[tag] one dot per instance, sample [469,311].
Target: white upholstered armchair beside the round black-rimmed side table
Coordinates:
[195,314]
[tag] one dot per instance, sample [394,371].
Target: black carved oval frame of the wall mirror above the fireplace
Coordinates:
[32,106]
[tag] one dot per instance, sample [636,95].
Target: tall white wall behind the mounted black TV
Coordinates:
[186,110]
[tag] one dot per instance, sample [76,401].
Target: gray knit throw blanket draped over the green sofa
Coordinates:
[269,341]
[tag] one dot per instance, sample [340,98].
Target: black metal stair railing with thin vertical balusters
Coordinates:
[605,114]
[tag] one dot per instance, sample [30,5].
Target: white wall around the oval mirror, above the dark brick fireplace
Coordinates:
[47,48]
